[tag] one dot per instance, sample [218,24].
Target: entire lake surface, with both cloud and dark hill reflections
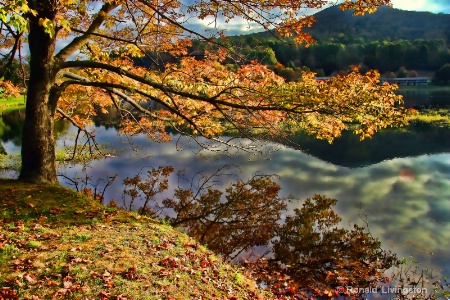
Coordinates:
[400,179]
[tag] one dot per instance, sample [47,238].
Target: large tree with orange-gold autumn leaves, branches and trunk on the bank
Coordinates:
[88,51]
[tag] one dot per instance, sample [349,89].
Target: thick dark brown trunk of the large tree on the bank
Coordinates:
[38,143]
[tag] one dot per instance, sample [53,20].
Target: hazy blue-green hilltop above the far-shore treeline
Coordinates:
[386,23]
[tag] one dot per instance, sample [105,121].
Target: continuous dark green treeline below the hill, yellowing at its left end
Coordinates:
[338,54]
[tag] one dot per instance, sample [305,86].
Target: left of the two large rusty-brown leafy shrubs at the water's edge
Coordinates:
[245,216]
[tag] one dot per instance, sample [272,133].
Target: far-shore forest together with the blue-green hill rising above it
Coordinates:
[398,43]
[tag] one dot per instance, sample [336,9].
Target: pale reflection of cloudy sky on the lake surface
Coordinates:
[406,199]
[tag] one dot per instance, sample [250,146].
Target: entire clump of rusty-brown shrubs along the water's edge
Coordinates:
[309,253]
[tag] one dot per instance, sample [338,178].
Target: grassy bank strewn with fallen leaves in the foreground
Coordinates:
[56,244]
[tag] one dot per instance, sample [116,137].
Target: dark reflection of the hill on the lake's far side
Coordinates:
[349,151]
